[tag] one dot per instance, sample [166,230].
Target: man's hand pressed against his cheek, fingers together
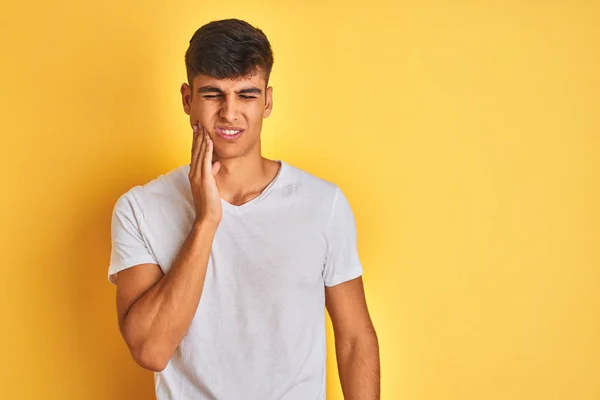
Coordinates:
[206,194]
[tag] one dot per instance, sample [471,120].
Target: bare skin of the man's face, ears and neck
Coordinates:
[243,172]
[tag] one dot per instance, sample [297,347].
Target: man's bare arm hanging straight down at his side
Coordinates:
[356,344]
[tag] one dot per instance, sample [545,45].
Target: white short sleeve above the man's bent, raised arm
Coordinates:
[128,246]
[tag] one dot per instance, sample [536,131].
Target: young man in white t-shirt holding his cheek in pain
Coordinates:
[224,266]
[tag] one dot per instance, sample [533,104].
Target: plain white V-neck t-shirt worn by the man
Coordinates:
[259,329]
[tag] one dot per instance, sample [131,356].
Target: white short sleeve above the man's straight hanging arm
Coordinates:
[342,262]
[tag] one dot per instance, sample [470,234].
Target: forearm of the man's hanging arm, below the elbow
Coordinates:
[358,366]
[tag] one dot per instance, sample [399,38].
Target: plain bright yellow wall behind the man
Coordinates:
[466,136]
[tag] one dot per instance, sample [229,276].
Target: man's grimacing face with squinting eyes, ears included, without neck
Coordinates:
[226,104]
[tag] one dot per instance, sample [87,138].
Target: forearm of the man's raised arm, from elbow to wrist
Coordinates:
[160,318]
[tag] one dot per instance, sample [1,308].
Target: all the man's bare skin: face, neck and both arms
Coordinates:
[155,310]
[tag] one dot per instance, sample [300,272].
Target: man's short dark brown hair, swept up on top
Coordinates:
[229,48]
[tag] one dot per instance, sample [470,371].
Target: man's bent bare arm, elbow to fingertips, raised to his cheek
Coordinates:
[155,310]
